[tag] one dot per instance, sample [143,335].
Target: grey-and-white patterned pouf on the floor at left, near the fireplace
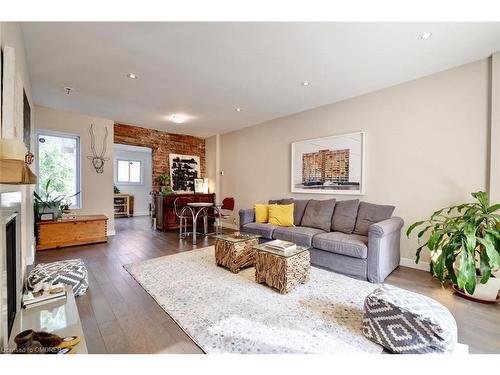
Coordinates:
[70,272]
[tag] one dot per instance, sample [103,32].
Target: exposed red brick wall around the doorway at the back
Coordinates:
[162,144]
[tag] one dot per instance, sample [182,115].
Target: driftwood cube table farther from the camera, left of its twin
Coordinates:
[235,251]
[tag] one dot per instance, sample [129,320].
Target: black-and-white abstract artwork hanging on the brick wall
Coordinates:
[183,170]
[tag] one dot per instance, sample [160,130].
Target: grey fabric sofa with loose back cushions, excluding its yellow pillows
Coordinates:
[354,238]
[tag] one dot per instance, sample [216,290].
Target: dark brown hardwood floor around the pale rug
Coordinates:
[118,316]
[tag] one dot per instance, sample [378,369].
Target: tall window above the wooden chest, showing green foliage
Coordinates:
[59,161]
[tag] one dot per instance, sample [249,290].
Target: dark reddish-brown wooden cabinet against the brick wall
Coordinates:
[165,211]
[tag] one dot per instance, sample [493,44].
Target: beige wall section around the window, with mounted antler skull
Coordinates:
[96,189]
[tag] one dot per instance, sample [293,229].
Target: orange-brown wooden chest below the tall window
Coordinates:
[81,230]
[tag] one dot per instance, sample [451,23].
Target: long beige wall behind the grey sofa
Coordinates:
[426,145]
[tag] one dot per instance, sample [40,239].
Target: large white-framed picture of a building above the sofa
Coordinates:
[329,165]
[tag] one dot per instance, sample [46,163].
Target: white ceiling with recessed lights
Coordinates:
[206,70]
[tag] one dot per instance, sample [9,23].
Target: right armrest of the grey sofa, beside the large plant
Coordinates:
[383,248]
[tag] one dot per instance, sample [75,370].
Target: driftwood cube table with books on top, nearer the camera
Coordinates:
[280,270]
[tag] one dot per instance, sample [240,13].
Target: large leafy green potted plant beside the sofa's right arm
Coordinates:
[464,242]
